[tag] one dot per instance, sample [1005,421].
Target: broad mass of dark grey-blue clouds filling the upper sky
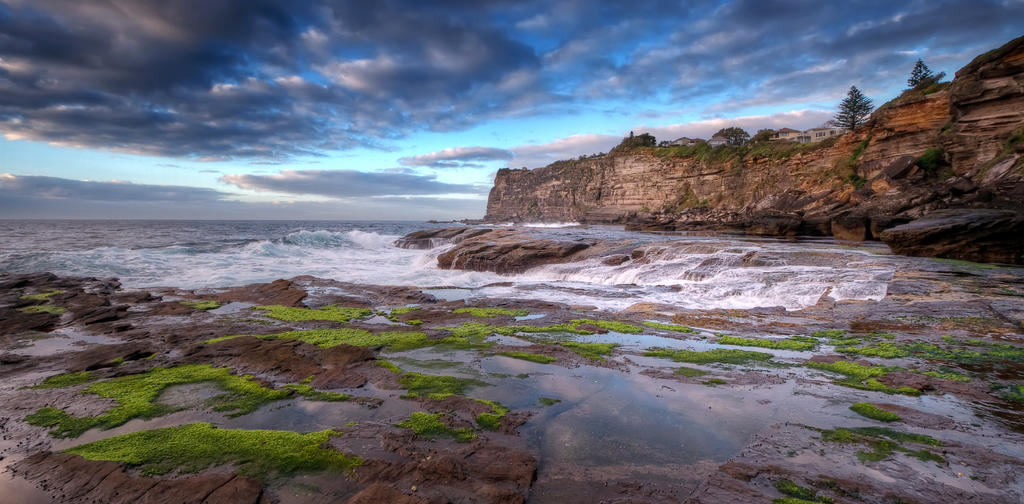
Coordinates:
[273,80]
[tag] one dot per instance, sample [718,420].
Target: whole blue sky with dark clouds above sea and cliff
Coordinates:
[405,110]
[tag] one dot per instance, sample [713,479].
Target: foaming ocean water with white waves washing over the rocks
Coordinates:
[696,272]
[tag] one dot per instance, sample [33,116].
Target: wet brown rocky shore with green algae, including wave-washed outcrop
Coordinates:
[314,391]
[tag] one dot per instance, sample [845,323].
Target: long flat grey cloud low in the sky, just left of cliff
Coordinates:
[344,184]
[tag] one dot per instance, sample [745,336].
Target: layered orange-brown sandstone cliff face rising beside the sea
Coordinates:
[856,188]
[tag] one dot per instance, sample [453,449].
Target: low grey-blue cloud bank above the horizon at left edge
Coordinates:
[52,189]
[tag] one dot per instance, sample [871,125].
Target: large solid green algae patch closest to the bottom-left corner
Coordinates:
[195,447]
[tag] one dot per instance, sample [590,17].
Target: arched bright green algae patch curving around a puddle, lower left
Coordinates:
[137,398]
